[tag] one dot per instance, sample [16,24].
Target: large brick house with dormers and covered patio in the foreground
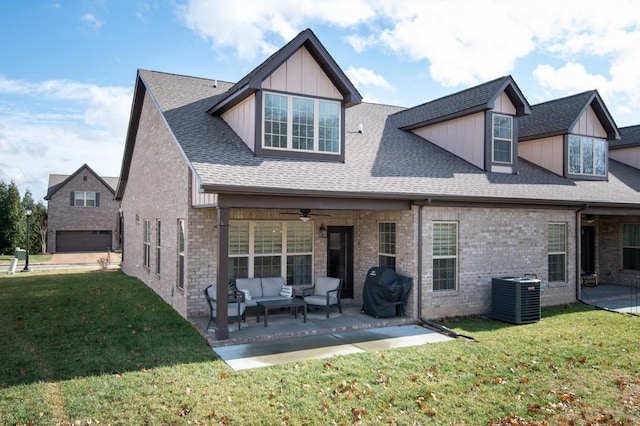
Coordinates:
[216,175]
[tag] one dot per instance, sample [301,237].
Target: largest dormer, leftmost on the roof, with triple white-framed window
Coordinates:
[293,104]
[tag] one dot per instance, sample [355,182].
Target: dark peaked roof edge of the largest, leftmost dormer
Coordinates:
[252,82]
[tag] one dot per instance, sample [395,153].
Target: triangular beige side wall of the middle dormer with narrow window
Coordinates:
[463,137]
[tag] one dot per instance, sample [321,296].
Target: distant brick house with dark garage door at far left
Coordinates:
[82,212]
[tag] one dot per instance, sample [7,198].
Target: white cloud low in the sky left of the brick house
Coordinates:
[38,138]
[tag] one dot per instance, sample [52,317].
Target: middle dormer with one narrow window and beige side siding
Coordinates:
[479,124]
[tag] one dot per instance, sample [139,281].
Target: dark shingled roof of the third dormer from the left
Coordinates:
[557,117]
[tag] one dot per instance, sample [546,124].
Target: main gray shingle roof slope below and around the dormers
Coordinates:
[383,162]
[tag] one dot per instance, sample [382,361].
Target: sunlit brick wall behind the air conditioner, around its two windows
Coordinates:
[495,243]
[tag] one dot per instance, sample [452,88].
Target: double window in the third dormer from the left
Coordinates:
[587,156]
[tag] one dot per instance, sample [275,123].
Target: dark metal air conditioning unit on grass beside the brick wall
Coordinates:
[515,299]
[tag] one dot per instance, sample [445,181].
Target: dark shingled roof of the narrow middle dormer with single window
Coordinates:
[474,99]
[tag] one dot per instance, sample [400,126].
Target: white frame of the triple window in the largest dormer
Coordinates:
[316,124]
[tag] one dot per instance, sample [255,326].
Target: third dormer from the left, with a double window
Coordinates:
[570,136]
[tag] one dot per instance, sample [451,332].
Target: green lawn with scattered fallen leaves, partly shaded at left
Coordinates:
[101,348]
